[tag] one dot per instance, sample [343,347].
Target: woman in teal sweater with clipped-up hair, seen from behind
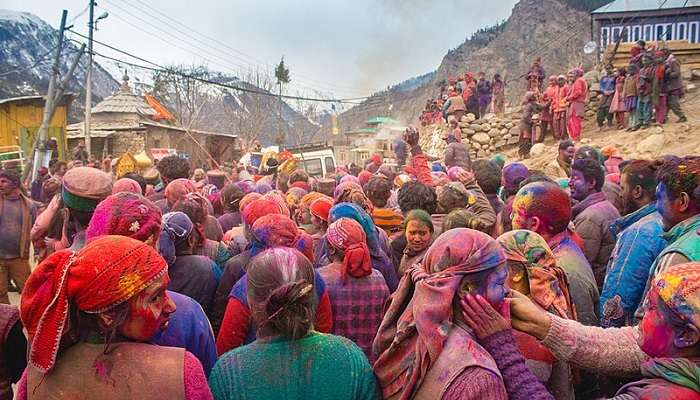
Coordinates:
[290,359]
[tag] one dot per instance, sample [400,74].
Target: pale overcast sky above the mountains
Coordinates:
[347,48]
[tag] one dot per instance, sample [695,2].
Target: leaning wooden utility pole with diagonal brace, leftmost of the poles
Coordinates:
[53,97]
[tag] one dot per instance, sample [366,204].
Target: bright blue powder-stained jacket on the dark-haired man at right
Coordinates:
[639,242]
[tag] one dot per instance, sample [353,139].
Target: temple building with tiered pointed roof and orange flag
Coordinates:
[127,122]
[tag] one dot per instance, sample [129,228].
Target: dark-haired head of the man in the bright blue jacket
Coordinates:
[638,184]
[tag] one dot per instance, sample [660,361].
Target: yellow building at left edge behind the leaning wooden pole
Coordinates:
[20,118]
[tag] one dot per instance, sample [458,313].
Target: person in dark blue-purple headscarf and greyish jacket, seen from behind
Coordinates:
[190,274]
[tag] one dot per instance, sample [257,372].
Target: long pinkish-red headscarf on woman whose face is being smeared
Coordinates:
[417,322]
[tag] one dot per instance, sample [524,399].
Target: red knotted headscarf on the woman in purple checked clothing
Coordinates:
[347,235]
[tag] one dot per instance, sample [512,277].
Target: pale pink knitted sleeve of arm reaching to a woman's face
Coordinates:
[612,351]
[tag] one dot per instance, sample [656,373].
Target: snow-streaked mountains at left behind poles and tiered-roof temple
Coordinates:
[27,45]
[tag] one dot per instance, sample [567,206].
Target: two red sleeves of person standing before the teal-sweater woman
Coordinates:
[237,320]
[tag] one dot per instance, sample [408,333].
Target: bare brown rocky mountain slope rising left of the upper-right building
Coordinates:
[550,29]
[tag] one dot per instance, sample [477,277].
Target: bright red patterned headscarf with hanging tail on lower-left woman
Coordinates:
[105,273]
